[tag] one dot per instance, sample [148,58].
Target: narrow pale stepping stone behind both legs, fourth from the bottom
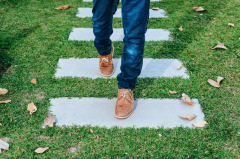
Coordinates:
[87,12]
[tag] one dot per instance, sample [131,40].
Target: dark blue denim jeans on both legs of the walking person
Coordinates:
[135,15]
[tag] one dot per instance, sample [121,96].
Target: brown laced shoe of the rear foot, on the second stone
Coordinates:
[106,64]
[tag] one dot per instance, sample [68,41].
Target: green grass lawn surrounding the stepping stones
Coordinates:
[33,36]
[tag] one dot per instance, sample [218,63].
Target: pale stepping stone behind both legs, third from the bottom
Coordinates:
[86,34]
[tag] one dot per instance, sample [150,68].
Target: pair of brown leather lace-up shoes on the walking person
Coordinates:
[125,102]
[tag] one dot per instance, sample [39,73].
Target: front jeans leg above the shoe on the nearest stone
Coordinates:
[135,15]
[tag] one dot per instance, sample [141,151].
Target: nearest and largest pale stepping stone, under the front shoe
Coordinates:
[147,113]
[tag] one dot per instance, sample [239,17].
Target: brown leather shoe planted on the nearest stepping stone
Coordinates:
[125,103]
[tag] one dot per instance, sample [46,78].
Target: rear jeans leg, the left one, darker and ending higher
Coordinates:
[103,11]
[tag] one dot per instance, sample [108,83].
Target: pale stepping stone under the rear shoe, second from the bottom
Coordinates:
[153,68]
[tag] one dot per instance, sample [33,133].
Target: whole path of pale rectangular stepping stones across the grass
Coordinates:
[100,111]
